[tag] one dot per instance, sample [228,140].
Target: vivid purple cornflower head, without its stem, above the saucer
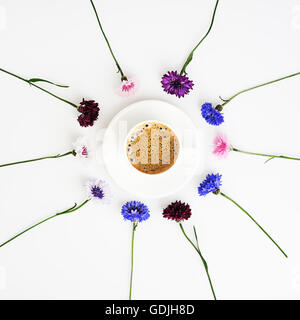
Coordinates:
[174,83]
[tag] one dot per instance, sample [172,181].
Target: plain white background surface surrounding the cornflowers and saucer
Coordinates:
[87,255]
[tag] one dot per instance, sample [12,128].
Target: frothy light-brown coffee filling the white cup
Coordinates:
[152,148]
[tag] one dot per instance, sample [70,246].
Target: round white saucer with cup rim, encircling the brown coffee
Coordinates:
[155,185]
